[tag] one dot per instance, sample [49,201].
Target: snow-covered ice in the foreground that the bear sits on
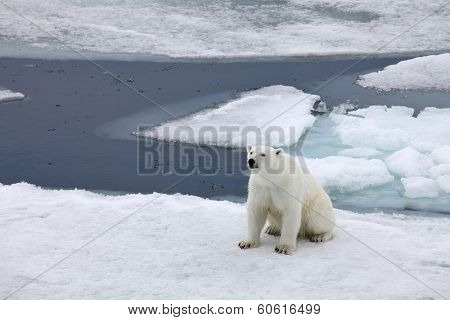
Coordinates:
[185,247]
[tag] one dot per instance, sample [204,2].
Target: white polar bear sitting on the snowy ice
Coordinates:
[291,201]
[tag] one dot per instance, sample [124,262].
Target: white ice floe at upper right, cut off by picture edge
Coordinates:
[429,72]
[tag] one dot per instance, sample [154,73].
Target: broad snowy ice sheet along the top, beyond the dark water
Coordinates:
[205,28]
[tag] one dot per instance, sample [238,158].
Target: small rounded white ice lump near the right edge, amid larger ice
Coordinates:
[408,162]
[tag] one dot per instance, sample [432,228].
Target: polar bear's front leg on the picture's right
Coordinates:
[290,226]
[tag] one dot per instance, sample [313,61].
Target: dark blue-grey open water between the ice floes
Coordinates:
[64,135]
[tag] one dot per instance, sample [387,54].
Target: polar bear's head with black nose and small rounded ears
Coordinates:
[264,159]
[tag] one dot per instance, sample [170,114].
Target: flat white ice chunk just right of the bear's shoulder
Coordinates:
[349,174]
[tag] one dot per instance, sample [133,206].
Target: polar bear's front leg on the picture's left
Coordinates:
[256,218]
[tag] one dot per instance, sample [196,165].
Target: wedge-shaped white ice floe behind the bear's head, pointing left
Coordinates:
[242,121]
